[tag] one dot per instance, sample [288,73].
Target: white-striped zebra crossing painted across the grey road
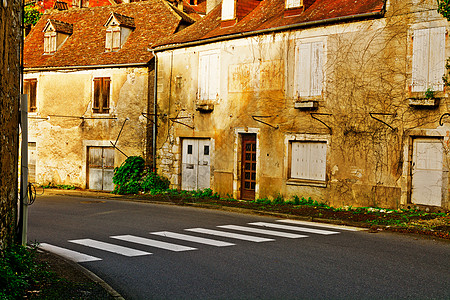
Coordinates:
[277,229]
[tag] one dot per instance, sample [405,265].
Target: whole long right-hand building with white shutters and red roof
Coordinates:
[341,101]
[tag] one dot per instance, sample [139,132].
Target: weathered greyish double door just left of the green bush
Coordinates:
[101,168]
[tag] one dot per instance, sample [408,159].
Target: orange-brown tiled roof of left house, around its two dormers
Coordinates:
[153,19]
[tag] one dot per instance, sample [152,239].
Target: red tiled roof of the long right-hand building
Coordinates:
[269,14]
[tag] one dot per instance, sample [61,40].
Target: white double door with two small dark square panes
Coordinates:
[195,164]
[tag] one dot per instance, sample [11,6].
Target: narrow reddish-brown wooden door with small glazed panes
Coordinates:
[248,169]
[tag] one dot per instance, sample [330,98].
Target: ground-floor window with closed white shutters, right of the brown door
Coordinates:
[308,160]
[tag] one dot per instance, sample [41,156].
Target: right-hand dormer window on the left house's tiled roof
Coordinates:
[118,28]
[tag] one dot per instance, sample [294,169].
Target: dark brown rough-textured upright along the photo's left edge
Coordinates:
[10,41]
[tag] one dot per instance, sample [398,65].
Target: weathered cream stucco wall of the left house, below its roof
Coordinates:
[64,126]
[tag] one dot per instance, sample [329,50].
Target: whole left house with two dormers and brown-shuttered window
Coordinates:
[88,74]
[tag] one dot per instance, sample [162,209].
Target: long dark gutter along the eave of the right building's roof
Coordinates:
[271,30]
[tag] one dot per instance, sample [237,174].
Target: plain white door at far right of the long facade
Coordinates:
[427,165]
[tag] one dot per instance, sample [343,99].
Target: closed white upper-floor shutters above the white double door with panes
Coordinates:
[208,75]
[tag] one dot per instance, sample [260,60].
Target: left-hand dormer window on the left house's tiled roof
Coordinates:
[55,34]
